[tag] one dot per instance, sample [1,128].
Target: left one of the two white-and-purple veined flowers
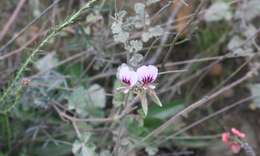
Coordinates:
[127,76]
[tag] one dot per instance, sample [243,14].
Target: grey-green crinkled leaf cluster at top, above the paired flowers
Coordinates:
[123,26]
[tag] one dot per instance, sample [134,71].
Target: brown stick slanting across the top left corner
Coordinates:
[12,19]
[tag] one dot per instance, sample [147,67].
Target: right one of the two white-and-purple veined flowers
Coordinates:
[147,75]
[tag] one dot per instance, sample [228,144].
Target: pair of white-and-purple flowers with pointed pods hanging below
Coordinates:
[140,82]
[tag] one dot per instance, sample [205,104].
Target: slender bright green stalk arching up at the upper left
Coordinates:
[53,32]
